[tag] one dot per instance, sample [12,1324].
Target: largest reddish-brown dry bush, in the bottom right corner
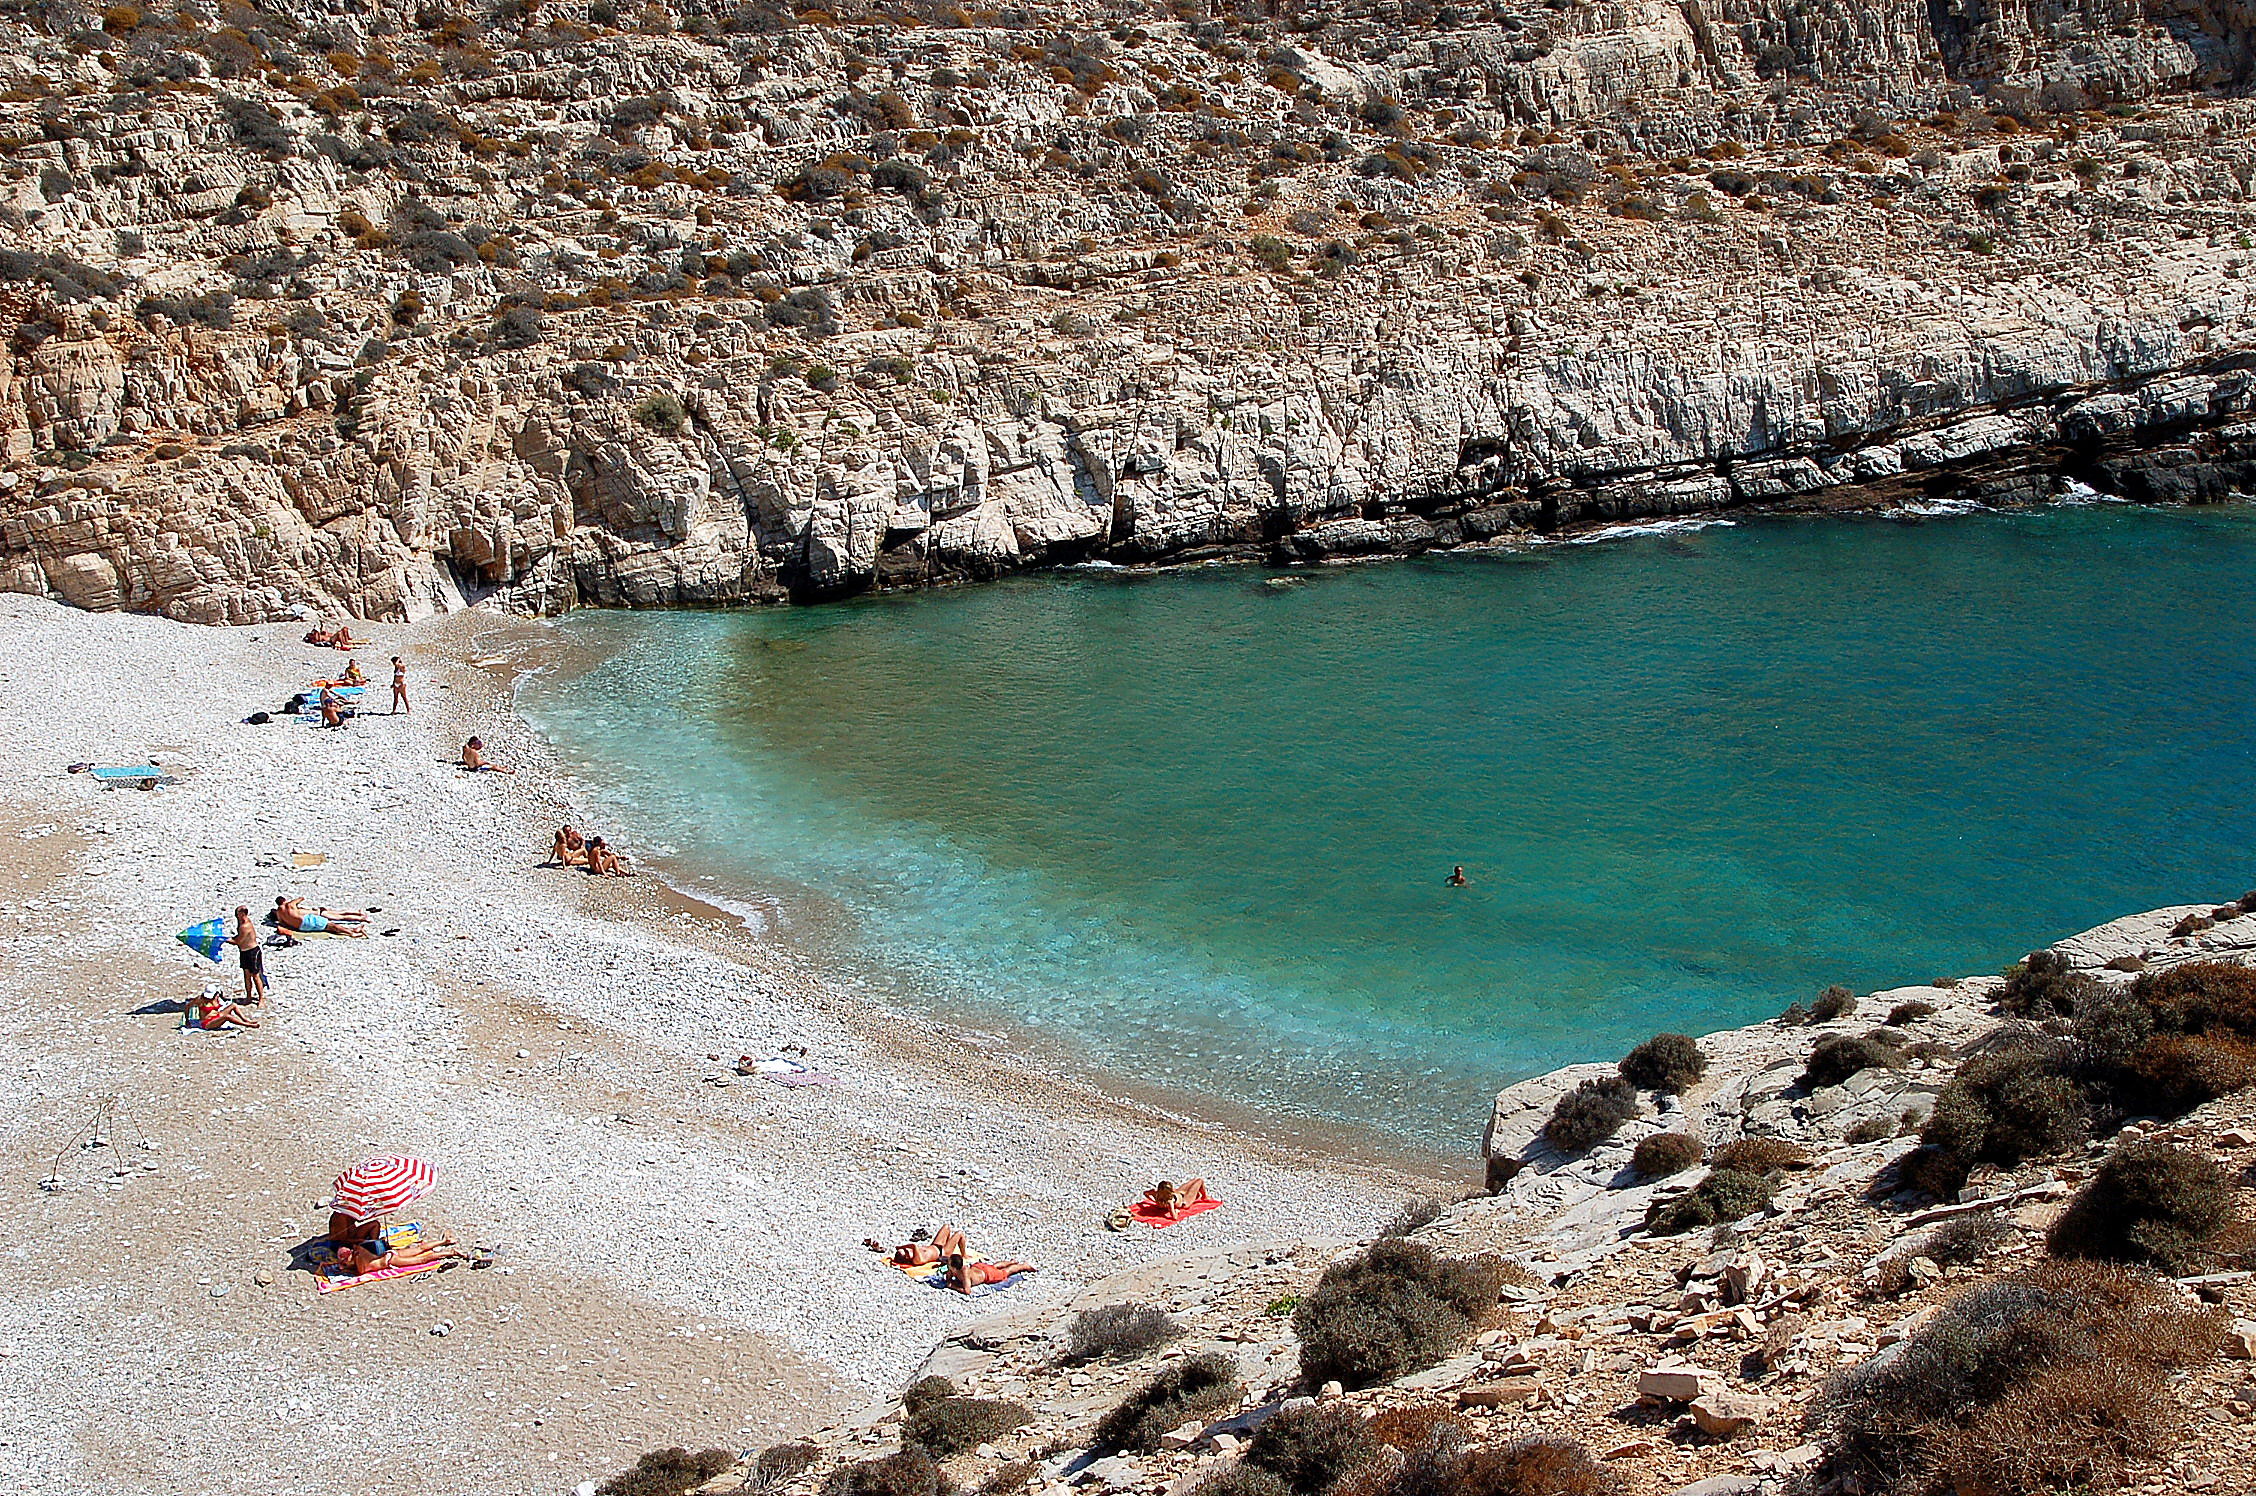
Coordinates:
[2043,1380]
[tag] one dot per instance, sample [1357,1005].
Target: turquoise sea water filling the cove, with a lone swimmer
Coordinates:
[1197,825]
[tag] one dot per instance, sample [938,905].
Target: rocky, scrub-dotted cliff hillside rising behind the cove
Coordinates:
[369,310]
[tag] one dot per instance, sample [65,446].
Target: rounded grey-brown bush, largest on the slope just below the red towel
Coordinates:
[1393,1310]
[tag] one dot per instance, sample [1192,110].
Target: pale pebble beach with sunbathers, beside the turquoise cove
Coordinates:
[680,1260]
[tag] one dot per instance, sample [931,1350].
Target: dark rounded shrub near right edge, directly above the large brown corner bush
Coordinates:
[2149,1204]
